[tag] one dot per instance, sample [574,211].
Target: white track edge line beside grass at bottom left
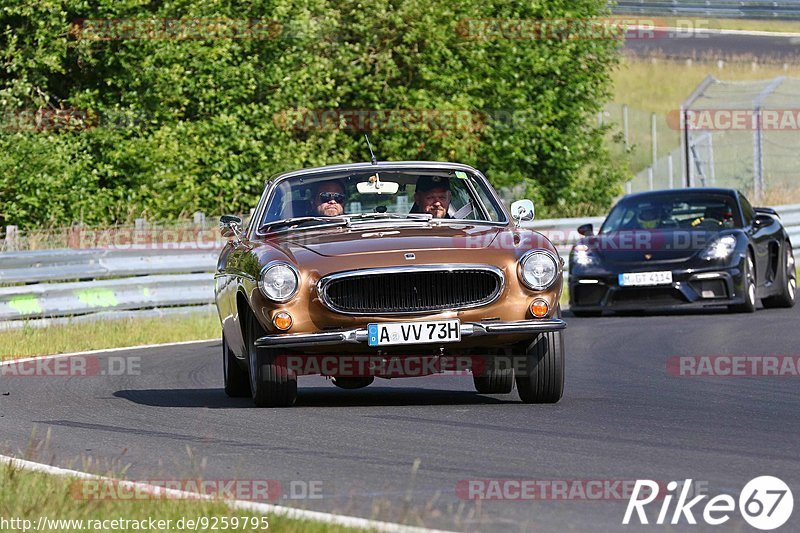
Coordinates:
[263,508]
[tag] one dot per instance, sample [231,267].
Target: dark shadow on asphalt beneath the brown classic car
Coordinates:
[318,397]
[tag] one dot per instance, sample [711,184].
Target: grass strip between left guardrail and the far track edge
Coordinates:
[107,334]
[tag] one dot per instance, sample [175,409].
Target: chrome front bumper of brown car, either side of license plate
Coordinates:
[359,336]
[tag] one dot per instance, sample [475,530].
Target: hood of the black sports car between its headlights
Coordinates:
[634,246]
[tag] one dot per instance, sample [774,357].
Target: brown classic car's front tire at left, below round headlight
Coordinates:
[271,382]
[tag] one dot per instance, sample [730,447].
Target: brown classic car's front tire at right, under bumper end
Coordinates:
[540,374]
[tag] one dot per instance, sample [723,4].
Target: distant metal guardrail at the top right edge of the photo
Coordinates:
[753,9]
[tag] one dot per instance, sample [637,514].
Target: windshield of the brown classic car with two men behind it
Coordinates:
[423,194]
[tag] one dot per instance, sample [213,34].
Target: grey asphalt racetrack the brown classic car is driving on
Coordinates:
[623,417]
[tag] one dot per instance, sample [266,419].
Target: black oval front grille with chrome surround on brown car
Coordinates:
[409,290]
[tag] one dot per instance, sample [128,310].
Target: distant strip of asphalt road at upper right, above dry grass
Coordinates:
[699,45]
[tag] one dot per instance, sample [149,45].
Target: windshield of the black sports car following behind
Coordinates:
[678,211]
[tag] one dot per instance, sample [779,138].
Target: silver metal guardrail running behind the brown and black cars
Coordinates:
[40,287]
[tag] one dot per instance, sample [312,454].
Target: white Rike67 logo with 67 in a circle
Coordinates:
[765,503]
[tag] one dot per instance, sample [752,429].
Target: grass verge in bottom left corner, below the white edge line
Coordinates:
[30,495]
